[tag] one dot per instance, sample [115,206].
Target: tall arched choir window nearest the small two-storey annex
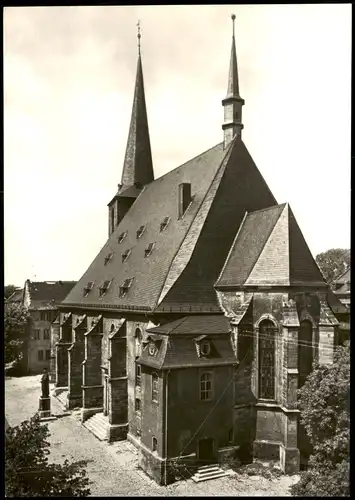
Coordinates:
[267,333]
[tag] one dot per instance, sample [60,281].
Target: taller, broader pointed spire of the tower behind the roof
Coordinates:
[138,165]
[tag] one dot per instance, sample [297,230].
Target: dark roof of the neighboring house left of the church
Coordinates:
[48,293]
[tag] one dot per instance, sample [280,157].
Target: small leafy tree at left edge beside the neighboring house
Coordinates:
[15,320]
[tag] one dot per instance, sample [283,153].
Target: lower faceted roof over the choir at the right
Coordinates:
[269,249]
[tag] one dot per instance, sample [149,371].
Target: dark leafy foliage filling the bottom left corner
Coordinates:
[27,471]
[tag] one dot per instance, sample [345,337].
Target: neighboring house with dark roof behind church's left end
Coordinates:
[42,299]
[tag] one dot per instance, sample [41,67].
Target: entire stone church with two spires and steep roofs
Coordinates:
[192,329]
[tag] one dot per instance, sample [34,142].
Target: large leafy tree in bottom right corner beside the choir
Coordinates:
[324,401]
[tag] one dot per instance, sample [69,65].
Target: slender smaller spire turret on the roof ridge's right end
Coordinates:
[233,102]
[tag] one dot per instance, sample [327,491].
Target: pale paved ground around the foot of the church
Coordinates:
[113,468]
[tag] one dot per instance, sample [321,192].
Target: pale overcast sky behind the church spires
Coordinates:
[68,81]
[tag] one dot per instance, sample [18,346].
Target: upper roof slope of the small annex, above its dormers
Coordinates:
[195,325]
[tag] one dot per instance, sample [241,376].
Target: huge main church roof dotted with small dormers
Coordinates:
[189,254]
